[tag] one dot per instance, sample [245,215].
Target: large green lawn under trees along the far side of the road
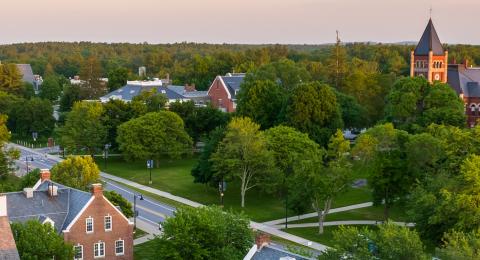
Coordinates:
[174,176]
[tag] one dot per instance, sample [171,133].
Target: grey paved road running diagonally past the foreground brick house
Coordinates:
[148,209]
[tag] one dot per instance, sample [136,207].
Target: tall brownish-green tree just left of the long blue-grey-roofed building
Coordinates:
[91,73]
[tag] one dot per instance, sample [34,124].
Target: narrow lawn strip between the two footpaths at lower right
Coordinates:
[397,213]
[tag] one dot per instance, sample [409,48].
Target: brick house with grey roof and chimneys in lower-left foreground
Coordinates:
[96,228]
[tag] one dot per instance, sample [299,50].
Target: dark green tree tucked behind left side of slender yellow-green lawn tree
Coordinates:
[203,172]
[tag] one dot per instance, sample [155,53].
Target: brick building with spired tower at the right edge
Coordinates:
[429,60]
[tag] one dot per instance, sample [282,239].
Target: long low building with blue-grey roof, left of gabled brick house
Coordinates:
[173,93]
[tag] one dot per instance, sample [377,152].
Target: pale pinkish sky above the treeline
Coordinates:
[236,21]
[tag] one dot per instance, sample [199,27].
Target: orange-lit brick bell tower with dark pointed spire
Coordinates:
[429,59]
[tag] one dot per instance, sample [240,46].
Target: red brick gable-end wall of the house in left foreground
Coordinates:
[121,230]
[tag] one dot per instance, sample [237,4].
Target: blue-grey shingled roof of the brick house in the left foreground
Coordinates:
[62,208]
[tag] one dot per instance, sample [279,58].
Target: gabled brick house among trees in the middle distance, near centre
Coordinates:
[224,90]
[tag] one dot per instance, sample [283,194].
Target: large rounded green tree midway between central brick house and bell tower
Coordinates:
[313,109]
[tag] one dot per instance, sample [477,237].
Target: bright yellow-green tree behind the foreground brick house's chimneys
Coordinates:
[77,172]
